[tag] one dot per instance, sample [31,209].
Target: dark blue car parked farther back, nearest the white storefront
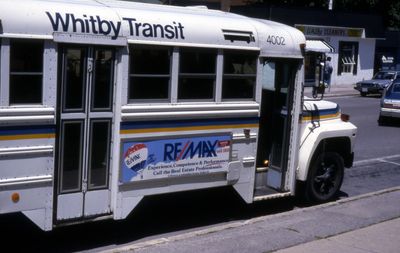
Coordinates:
[378,83]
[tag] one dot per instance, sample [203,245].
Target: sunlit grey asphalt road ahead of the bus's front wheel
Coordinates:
[377,149]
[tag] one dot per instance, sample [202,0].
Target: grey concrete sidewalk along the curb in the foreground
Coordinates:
[365,223]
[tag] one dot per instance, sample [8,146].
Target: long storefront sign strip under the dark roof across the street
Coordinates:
[327,31]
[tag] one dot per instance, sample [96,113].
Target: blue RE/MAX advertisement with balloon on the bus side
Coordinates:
[156,159]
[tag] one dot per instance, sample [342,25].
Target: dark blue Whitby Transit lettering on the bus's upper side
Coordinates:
[96,25]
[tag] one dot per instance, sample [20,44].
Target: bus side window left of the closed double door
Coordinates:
[26,71]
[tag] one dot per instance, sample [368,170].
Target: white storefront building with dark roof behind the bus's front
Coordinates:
[351,36]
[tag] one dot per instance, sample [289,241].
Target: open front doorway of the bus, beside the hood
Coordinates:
[278,85]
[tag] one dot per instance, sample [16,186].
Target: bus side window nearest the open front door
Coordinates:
[239,77]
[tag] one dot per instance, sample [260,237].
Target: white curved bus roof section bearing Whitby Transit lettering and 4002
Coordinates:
[110,22]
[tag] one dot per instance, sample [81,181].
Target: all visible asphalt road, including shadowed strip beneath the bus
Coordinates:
[377,167]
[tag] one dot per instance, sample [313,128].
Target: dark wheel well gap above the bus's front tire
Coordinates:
[340,145]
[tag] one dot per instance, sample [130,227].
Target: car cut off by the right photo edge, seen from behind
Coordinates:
[390,103]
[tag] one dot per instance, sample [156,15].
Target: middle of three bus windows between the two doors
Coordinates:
[197,74]
